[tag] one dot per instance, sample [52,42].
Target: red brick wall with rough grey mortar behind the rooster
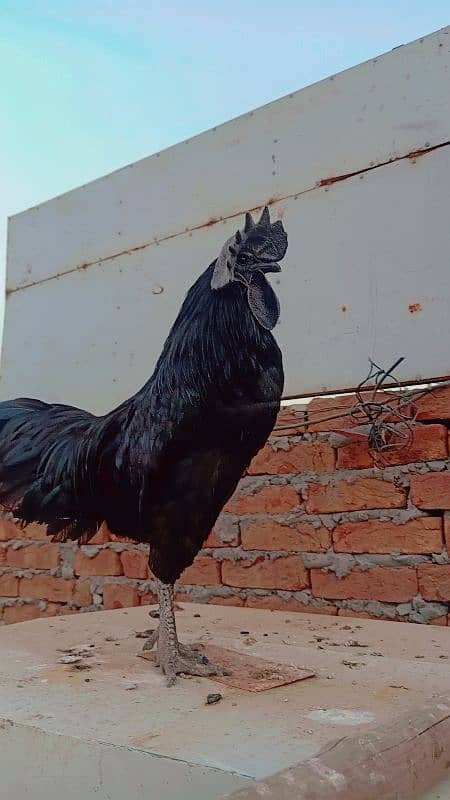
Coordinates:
[313,526]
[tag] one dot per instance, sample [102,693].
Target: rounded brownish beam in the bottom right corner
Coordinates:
[402,759]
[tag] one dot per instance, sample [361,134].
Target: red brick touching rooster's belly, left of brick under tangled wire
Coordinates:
[301,457]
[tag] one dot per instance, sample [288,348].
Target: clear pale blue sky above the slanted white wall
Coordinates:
[89,86]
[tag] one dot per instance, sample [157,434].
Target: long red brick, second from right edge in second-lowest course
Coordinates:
[380,583]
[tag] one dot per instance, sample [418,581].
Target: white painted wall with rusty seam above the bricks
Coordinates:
[96,276]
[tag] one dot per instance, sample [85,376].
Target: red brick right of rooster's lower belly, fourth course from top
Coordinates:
[270,535]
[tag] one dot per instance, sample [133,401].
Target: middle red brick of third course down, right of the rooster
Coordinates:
[363,493]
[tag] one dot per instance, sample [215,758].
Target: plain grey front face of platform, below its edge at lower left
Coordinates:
[46,765]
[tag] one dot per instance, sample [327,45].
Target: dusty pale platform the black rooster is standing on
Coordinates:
[114,729]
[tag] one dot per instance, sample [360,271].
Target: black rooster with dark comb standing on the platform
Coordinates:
[161,466]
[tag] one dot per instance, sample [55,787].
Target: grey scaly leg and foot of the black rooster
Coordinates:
[172,657]
